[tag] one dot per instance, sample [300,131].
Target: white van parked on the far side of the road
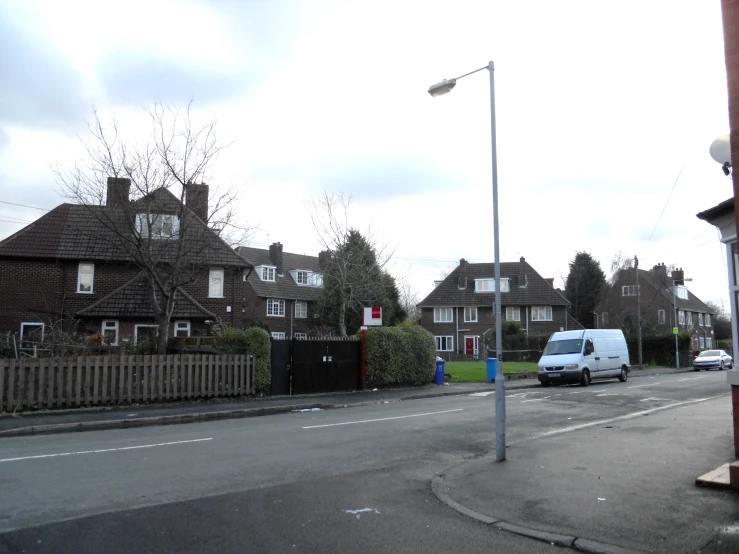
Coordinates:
[579,356]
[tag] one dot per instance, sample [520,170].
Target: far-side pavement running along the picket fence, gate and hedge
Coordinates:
[180,412]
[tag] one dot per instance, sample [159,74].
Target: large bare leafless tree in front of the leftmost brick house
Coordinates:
[152,227]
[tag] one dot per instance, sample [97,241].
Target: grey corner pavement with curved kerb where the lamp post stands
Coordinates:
[615,486]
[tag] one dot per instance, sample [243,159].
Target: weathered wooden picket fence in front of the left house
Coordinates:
[40,383]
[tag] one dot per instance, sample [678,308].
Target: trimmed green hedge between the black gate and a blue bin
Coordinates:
[400,356]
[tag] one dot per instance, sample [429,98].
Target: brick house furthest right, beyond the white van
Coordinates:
[618,307]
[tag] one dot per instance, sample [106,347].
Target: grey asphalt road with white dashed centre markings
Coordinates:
[324,481]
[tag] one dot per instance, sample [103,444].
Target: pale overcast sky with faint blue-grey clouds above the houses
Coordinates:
[605,113]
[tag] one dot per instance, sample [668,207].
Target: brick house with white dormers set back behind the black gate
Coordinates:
[282,291]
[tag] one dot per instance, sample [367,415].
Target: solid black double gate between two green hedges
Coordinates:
[314,366]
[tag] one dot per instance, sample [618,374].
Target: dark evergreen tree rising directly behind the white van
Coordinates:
[585,283]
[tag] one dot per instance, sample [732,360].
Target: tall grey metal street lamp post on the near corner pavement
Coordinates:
[437,90]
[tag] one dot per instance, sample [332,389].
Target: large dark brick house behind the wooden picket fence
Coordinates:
[68,268]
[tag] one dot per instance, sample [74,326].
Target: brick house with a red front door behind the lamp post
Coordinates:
[459,311]
